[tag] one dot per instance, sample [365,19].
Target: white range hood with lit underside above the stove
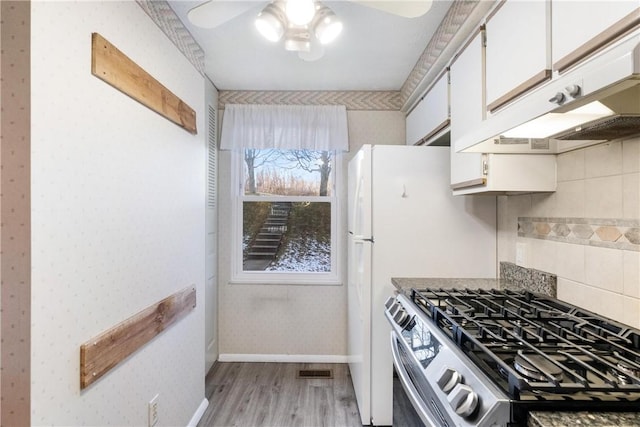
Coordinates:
[596,102]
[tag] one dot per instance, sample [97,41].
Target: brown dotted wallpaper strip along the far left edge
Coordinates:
[15,201]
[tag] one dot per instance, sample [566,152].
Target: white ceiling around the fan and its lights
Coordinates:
[376,50]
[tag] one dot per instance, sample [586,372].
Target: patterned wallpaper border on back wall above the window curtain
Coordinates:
[353,100]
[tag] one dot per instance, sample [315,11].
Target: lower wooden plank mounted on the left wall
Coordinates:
[103,352]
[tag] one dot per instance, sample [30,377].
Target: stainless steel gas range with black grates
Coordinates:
[488,357]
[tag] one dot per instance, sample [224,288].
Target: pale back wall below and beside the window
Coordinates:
[257,321]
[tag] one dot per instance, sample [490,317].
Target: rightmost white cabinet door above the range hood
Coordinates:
[581,28]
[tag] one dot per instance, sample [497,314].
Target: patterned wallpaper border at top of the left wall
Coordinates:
[166,19]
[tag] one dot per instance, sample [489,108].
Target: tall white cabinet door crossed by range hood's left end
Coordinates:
[467,110]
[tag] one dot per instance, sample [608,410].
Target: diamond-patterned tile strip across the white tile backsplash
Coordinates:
[621,234]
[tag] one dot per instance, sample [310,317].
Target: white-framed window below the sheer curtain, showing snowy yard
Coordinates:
[285,215]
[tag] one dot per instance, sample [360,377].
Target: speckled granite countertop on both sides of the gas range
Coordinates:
[545,285]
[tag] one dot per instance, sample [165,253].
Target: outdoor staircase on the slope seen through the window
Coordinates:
[269,239]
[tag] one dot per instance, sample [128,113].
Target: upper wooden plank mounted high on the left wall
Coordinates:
[114,67]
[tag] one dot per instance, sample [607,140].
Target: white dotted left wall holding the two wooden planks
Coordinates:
[117,219]
